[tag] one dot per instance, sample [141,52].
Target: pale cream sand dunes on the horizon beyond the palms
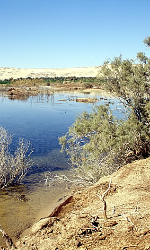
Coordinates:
[6,73]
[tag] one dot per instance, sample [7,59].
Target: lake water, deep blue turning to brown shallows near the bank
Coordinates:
[40,119]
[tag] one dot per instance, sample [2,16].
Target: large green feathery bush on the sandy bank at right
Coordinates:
[98,143]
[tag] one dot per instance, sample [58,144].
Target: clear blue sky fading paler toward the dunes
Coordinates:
[71,33]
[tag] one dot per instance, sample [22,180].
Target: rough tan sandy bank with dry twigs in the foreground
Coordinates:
[70,226]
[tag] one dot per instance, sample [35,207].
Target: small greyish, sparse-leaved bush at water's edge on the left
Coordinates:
[13,167]
